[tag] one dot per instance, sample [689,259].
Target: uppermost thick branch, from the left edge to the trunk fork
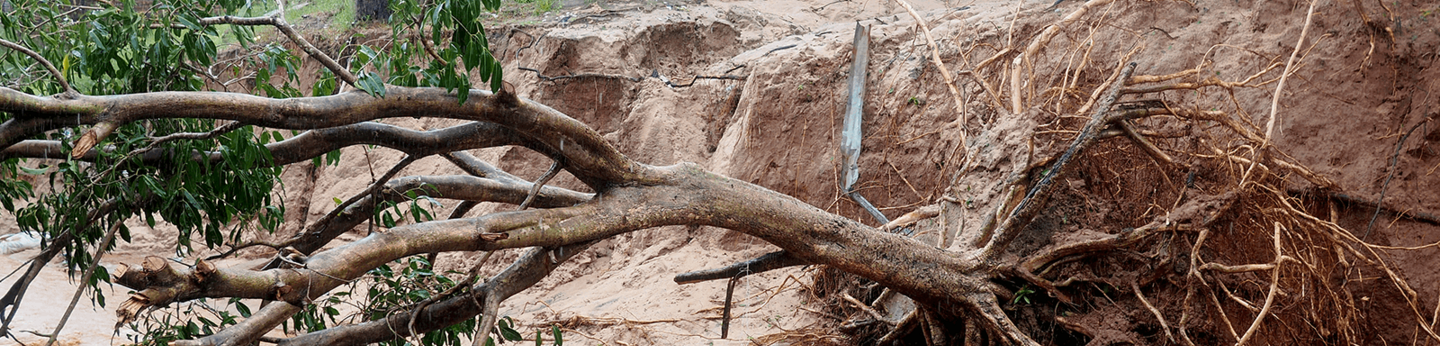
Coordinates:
[588,155]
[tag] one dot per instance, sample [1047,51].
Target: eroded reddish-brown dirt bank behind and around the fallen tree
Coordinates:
[1357,110]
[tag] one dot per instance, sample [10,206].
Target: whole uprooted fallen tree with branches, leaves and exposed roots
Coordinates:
[961,290]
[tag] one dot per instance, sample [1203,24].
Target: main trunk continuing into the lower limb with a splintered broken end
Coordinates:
[689,197]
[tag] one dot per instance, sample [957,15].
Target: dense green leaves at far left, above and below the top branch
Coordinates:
[120,51]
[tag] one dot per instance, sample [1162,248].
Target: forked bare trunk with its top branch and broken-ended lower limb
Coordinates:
[631,197]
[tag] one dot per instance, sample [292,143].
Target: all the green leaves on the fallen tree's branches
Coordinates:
[126,47]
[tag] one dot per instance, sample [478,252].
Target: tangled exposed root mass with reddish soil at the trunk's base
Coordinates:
[1192,230]
